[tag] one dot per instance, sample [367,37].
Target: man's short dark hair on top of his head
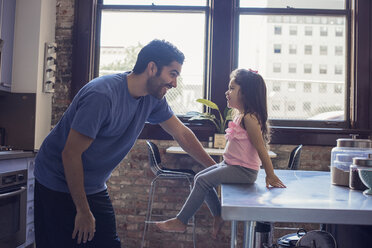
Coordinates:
[161,52]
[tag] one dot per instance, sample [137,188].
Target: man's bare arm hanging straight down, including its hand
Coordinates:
[75,145]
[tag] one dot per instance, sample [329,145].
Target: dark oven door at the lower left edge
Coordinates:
[13,217]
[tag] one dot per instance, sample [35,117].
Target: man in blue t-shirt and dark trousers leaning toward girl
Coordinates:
[94,134]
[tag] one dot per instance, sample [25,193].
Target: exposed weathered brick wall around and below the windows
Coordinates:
[130,182]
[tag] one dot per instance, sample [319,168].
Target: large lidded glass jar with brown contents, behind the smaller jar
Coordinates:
[342,157]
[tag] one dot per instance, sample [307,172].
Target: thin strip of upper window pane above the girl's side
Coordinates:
[305,4]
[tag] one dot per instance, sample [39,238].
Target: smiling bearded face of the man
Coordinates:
[158,86]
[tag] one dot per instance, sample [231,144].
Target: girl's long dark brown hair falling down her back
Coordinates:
[254,97]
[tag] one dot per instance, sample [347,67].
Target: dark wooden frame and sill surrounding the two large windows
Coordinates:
[222,43]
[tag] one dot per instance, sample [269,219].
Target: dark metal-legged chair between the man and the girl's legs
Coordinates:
[162,173]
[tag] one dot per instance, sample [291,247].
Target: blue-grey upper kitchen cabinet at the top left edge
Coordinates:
[7,19]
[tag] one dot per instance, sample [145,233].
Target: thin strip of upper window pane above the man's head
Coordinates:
[157,2]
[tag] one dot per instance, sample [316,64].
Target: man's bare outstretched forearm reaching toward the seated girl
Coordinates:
[187,140]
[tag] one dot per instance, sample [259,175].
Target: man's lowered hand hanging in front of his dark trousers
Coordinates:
[85,226]
